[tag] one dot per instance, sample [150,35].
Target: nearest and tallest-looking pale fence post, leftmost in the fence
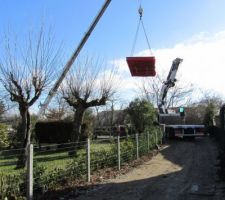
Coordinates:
[30,173]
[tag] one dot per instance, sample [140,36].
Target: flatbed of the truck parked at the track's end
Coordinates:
[183,131]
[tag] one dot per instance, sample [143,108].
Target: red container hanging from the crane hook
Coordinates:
[141,66]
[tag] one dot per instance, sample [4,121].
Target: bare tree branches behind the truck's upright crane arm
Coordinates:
[179,95]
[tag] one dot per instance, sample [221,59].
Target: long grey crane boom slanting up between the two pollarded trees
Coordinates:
[72,58]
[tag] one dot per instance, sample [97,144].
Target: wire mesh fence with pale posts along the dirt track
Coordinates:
[57,164]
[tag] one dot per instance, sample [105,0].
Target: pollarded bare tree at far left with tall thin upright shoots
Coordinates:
[27,68]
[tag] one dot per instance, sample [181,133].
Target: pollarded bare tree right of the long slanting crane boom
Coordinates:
[88,85]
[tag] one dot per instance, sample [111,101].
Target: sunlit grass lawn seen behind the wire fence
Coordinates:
[57,158]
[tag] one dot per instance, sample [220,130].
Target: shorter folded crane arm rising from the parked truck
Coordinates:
[170,82]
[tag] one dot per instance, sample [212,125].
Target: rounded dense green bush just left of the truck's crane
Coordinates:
[142,114]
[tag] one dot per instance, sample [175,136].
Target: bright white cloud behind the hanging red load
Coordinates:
[203,62]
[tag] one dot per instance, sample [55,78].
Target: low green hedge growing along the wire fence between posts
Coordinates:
[103,155]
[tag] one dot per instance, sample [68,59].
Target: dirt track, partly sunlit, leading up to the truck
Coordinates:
[183,170]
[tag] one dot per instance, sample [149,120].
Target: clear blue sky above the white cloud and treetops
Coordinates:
[167,22]
